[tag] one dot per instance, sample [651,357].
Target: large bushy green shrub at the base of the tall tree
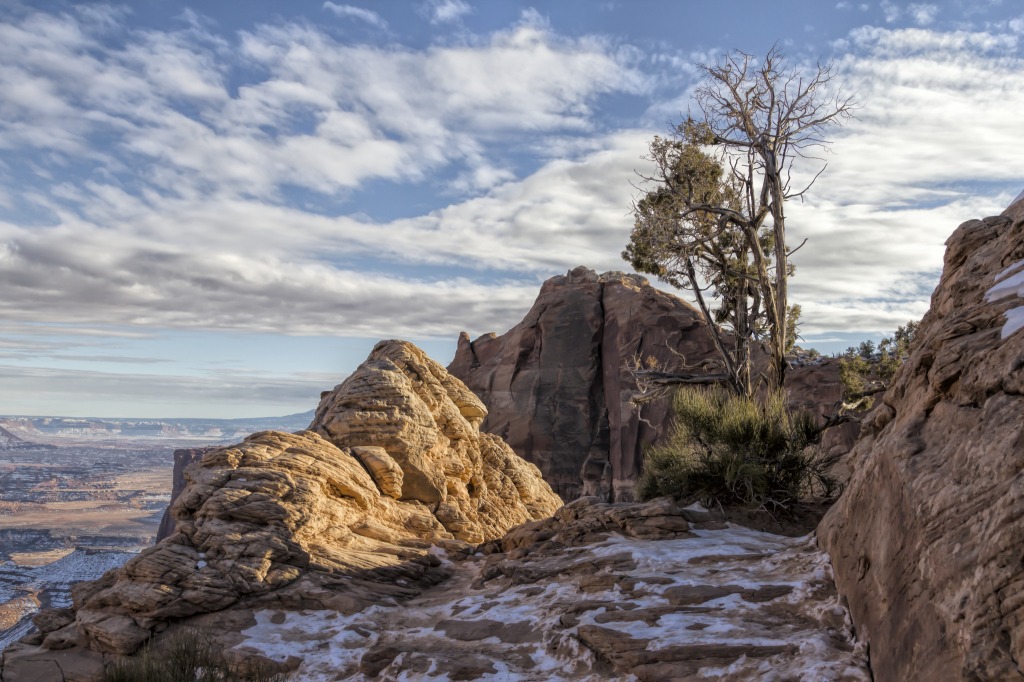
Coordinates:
[737,450]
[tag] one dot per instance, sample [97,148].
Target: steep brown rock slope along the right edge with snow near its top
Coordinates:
[927,540]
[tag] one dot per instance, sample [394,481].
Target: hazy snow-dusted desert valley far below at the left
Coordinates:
[79,496]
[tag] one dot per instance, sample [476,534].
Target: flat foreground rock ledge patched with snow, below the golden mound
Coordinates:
[734,587]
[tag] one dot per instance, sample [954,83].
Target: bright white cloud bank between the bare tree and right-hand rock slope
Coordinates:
[931,147]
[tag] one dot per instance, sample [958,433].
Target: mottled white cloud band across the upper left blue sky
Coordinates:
[327,116]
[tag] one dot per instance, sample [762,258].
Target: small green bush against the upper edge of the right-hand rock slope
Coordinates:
[867,370]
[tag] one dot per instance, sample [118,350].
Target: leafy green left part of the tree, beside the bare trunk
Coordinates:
[691,232]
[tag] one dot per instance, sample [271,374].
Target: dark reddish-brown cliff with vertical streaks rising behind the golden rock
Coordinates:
[558,387]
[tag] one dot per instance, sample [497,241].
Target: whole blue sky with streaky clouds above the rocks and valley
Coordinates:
[217,209]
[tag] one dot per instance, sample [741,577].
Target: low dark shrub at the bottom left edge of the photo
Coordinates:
[186,656]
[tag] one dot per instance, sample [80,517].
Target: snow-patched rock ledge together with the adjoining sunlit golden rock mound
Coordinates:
[396,540]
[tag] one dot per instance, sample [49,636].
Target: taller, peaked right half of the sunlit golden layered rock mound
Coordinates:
[402,412]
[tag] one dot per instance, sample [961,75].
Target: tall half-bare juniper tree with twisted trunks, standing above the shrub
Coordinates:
[712,219]
